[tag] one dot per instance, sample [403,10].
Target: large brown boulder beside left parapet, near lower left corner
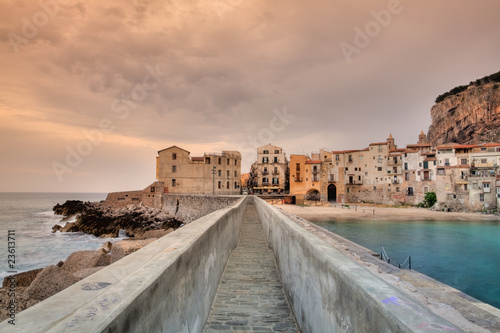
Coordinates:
[49,281]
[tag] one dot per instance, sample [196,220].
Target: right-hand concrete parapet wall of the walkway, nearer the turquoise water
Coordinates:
[329,292]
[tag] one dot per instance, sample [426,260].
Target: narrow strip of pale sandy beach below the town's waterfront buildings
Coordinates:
[370,212]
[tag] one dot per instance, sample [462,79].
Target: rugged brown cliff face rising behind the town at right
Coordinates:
[472,116]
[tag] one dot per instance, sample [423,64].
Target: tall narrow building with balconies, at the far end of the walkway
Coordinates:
[270,170]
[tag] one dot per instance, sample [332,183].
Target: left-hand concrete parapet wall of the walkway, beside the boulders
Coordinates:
[167,286]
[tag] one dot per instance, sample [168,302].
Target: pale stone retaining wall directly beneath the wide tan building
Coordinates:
[189,207]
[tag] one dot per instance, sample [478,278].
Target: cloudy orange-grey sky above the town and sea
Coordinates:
[90,91]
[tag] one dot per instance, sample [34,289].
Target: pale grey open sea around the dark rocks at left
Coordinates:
[27,218]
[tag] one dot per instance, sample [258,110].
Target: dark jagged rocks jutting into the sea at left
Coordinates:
[103,221]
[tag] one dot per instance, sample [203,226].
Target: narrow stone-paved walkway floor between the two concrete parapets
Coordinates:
[250,296]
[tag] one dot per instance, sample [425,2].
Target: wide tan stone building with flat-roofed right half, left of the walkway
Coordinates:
[212,173]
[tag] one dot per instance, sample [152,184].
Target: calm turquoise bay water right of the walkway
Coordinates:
[464,255]
